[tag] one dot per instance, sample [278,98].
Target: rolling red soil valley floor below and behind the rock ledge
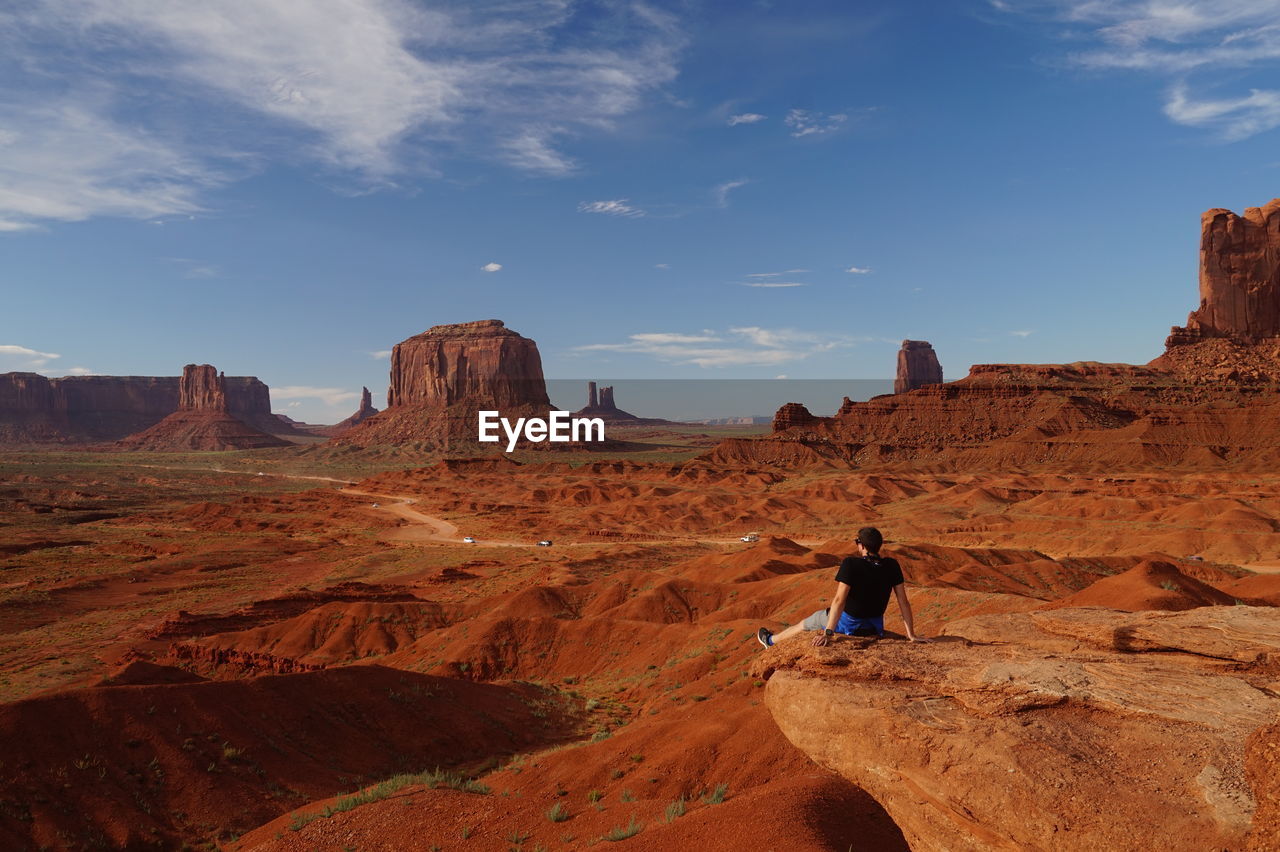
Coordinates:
[410,652]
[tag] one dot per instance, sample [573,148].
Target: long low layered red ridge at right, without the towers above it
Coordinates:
[1091,416]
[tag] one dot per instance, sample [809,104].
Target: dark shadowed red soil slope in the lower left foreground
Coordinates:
[135,766]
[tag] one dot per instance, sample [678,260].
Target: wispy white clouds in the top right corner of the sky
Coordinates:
[1177,39]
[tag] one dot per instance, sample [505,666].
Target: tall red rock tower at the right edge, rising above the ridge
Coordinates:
[1240,278]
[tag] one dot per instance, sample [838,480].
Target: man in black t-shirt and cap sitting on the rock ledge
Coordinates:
[863,585]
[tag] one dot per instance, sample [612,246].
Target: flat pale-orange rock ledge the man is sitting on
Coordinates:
[1064,730]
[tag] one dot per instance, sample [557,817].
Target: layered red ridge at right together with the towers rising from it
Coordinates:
[1210,401]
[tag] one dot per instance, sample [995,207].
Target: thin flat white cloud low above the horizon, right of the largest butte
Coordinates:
[739,347]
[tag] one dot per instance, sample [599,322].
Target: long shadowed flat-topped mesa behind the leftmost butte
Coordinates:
[35,410]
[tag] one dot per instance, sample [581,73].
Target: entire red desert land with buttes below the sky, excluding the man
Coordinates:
[225,630]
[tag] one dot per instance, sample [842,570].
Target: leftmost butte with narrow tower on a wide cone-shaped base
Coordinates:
[203,422]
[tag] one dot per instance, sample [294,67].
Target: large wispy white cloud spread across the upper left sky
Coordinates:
[134,108]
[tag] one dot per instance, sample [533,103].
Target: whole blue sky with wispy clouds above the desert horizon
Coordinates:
[665,190]
